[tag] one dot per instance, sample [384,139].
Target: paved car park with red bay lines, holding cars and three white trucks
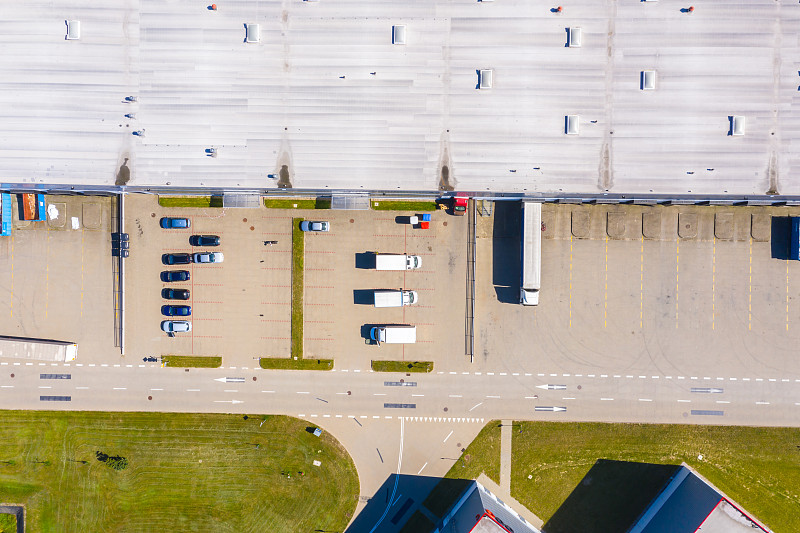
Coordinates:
[241,307]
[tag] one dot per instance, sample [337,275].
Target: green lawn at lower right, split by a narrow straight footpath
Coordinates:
[759,468]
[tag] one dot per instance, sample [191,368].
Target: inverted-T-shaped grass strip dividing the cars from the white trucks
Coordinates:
[296,361]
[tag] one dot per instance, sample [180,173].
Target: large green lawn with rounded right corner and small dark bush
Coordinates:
[186,472]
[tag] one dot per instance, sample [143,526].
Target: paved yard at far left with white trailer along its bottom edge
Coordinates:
[57,277]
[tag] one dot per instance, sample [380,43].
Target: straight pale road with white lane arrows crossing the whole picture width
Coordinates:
[703,399]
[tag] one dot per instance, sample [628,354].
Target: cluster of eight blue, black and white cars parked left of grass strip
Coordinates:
[170,327]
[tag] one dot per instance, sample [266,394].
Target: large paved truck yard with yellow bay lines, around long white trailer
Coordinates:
[681,290]
